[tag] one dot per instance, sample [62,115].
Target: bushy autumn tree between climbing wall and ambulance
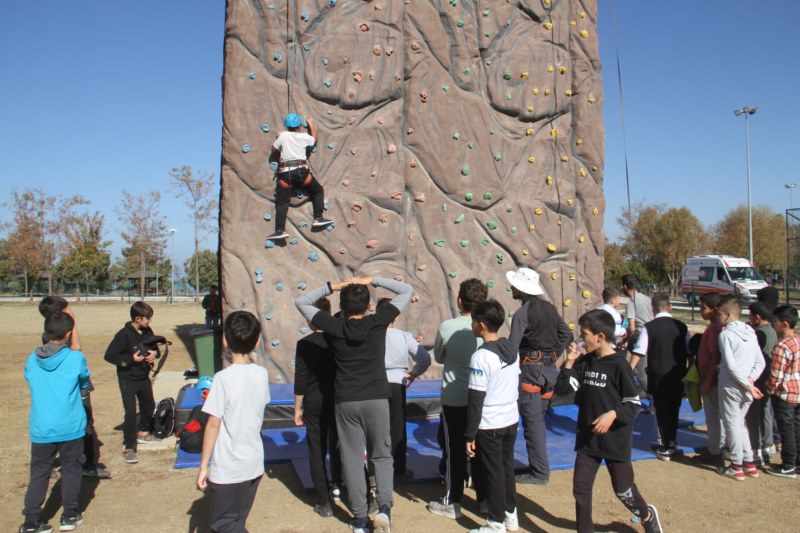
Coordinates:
[661,239]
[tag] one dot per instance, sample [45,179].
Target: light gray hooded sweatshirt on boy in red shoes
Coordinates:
[741,362]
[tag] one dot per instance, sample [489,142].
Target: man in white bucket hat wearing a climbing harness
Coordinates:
[541,335]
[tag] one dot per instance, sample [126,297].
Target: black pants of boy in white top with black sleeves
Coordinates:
[496,449]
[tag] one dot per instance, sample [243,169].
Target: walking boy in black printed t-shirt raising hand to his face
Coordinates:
[608,402]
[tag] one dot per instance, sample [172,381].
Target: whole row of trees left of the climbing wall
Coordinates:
[58,244]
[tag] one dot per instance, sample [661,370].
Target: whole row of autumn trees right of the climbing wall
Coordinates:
[657,240]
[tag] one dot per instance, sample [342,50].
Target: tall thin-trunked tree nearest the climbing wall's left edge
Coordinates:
[196,195]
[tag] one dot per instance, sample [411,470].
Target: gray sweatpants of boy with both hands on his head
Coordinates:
[363,426]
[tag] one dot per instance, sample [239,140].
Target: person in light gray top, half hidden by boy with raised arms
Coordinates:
[399,345]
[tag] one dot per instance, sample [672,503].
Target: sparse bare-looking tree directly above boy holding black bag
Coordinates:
[145,229]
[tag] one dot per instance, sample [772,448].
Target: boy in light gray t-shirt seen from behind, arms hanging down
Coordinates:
[232,437]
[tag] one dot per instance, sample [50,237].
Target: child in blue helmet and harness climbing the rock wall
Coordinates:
[292,148]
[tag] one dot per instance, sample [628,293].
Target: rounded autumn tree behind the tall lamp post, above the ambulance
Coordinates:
[769,236]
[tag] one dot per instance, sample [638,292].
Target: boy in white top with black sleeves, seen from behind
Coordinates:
[493,415]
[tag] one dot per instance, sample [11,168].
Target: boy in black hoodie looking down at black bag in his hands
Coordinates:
[133,374]
